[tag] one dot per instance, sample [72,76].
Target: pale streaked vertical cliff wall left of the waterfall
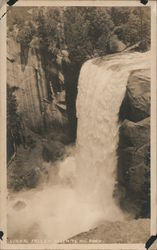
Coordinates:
[25,70]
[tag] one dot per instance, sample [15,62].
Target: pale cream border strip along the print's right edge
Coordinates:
[153,119]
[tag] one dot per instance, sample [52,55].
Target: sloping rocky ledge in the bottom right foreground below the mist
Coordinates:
[127,232]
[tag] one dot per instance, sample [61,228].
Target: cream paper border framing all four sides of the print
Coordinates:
[3,168]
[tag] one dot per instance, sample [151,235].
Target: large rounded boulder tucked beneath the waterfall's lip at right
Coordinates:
[136,104]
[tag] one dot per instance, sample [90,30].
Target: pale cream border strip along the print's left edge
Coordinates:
[3,169]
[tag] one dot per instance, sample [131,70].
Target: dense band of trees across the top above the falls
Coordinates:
[83,31]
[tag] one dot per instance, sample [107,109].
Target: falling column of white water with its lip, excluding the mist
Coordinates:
[102,86]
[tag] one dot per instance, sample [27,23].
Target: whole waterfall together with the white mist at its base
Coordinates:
[81,197]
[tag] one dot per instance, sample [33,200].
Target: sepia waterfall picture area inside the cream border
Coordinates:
[78,124]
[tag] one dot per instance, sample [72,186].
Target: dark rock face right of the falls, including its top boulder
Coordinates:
[134,145]
